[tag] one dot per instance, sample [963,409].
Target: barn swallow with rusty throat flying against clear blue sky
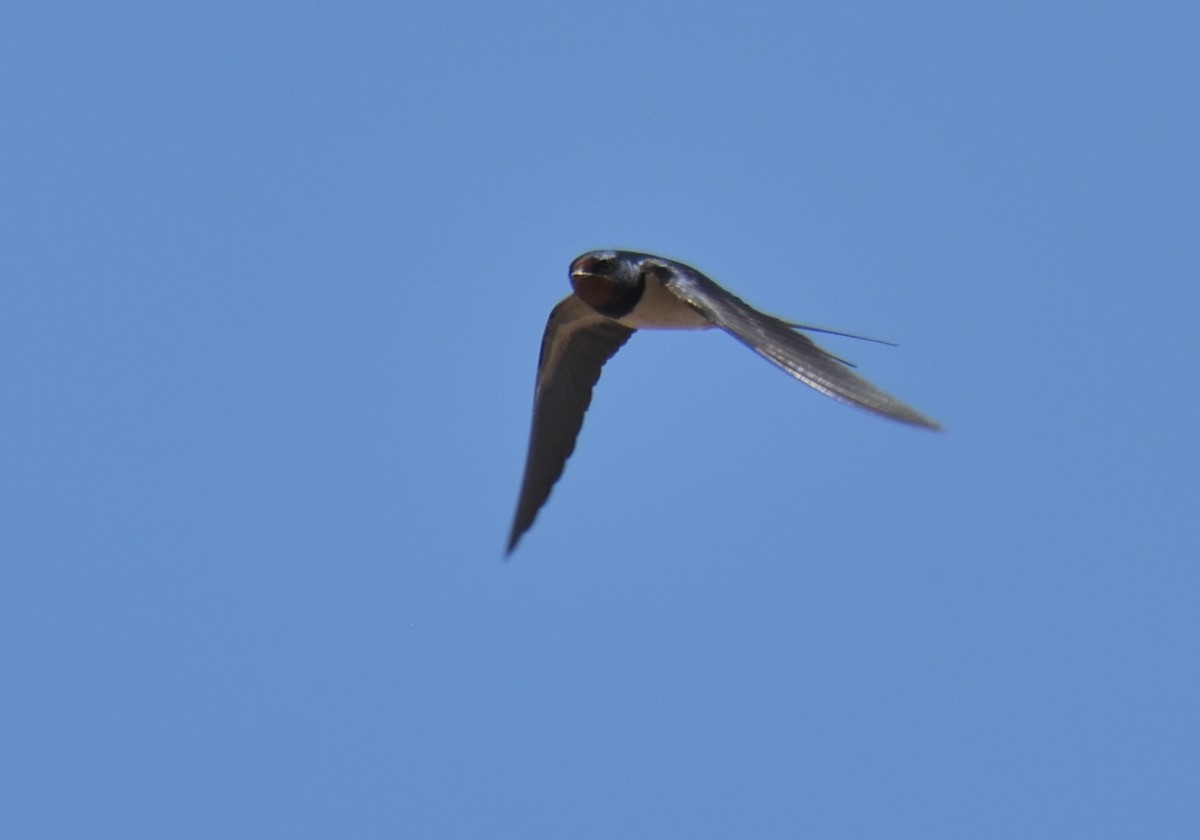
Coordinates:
[620,292]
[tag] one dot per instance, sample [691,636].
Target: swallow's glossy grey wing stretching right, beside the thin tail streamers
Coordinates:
[781,344]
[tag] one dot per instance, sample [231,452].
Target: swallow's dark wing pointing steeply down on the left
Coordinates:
[577,345]
